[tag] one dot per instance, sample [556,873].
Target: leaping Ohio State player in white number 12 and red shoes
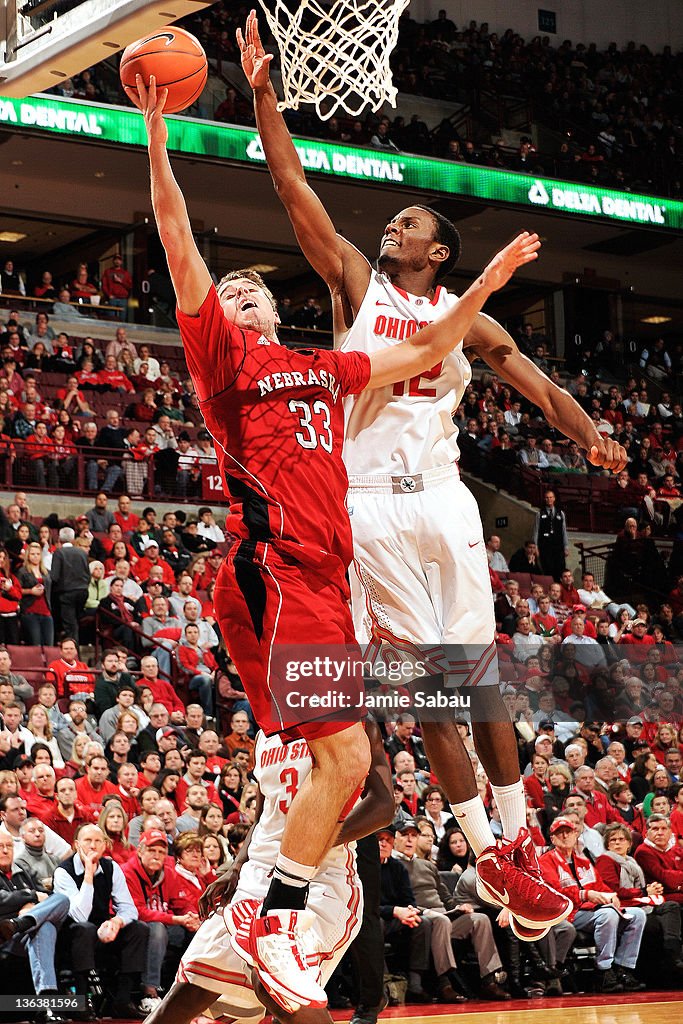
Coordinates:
[419,552]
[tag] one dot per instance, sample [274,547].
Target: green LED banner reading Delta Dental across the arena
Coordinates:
[203,139]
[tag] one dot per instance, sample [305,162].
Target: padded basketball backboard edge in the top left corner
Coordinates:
[44,42]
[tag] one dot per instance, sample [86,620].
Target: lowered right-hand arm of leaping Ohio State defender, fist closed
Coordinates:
[493,344]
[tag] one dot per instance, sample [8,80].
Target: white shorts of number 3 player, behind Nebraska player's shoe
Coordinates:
[211,963]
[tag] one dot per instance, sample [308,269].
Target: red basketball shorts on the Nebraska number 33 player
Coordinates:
[289,630]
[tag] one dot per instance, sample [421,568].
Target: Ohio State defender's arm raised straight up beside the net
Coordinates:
[337,262]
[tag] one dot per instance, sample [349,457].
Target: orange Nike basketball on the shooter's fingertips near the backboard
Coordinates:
[176,59]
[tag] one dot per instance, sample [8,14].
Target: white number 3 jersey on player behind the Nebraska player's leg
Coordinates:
[280,771]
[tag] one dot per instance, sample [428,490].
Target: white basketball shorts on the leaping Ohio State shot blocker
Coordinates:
[421,575]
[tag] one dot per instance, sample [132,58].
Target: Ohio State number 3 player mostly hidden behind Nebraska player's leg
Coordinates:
[211,973]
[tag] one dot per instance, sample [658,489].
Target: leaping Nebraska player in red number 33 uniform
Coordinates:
[277,419]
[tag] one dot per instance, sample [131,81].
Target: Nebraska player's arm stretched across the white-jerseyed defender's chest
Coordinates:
[432,345]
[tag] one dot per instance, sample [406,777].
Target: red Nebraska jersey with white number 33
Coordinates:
[278,421]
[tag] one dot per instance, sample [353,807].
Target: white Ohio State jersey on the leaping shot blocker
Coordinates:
[405,429]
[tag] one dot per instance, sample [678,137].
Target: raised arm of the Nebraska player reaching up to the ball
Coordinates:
[191,278]
